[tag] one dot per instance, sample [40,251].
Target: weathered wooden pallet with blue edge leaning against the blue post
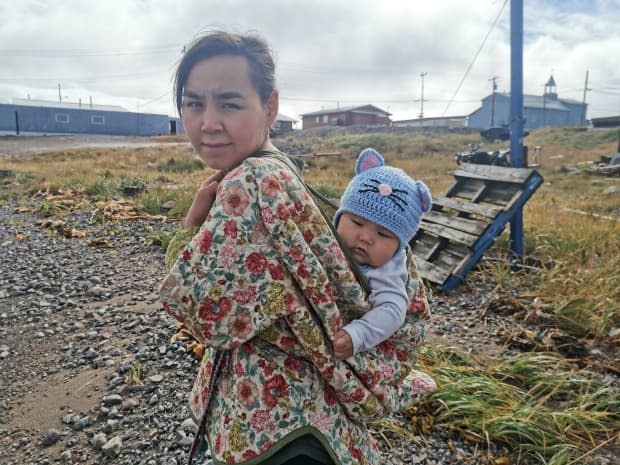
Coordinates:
[464,223]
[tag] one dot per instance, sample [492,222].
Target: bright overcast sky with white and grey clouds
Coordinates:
[329,53]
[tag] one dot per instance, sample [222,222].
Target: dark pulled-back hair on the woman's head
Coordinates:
[216,43]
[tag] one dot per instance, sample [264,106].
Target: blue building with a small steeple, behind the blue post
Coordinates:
[538,110]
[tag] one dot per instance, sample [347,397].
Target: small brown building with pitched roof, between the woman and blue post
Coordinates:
[365,115]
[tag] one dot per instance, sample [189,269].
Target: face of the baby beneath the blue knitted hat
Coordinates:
[370,243]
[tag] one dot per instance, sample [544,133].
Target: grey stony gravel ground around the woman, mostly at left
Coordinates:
[78,323]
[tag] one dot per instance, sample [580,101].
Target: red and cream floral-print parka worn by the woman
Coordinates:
[265,281]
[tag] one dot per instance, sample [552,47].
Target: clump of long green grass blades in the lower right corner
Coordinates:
[537,405]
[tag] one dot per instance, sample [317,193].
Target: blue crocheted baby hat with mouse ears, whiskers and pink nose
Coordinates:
[385,195]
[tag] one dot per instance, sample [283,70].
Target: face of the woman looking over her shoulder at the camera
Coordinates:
[222,112]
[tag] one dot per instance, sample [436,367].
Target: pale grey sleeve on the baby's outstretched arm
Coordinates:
[389,302]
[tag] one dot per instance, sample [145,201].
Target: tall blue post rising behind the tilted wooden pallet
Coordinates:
[516,114]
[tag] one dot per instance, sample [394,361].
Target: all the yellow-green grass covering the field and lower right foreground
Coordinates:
[545,406]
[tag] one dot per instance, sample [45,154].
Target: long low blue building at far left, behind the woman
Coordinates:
[25,116]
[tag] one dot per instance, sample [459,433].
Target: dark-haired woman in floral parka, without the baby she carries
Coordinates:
[265,285]
